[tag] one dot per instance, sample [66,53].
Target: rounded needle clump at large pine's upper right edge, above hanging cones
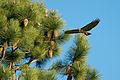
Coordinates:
[52,21]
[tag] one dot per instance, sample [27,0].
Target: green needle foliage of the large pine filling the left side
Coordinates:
[21,39]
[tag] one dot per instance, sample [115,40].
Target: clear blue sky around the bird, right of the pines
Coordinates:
[104,54]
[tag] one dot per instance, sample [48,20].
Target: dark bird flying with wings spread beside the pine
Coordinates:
[84,29]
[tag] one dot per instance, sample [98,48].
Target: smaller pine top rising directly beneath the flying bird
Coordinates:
[74,66]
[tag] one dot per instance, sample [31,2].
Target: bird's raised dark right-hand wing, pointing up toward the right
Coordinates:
[91,25]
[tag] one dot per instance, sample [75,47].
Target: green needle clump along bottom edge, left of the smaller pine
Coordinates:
[37,74]
